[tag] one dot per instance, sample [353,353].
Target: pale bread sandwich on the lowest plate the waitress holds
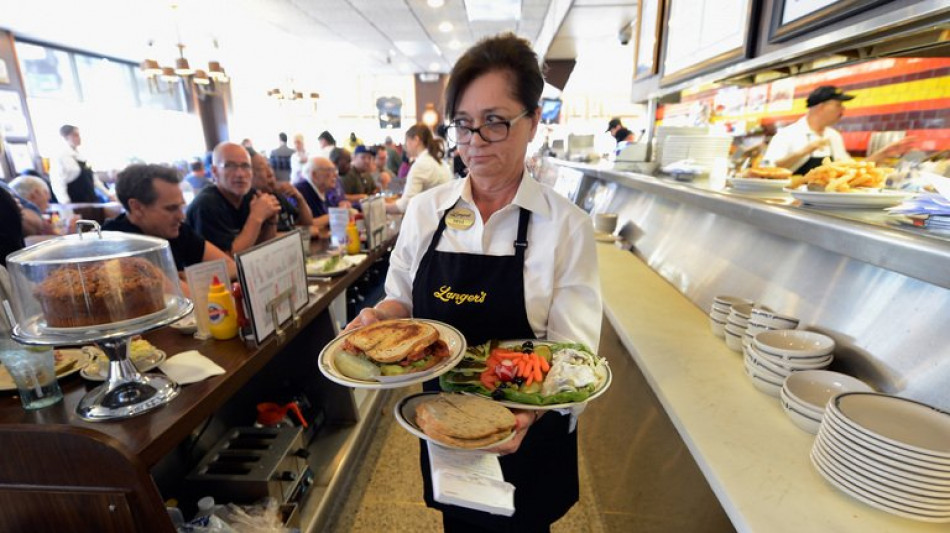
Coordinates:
[464,421]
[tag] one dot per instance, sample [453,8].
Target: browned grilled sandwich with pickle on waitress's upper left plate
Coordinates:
[393,347]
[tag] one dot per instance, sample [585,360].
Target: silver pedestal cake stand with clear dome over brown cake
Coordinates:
[126,392]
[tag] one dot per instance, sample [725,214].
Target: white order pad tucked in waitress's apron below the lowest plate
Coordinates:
[470,479]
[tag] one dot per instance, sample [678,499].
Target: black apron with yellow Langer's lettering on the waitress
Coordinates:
[544,470]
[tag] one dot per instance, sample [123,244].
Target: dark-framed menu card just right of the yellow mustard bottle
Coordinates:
[267,271]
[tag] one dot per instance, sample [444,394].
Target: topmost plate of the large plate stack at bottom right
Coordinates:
[916,427]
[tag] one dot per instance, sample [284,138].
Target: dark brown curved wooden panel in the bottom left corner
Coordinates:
[61,478]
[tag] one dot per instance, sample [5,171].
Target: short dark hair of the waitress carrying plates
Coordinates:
[507,53]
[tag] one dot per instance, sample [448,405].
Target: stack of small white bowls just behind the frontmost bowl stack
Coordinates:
[775,355]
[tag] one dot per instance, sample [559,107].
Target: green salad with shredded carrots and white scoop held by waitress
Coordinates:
[532,372]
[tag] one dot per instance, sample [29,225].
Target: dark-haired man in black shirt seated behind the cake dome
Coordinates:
[153,206]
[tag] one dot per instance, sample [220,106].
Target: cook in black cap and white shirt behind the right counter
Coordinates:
[802,146]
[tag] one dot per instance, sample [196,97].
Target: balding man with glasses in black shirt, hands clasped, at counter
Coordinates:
[232,214]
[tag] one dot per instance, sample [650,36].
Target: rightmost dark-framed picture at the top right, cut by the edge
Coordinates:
[791,18]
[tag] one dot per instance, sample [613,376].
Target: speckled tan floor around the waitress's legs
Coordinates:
[386,494]
